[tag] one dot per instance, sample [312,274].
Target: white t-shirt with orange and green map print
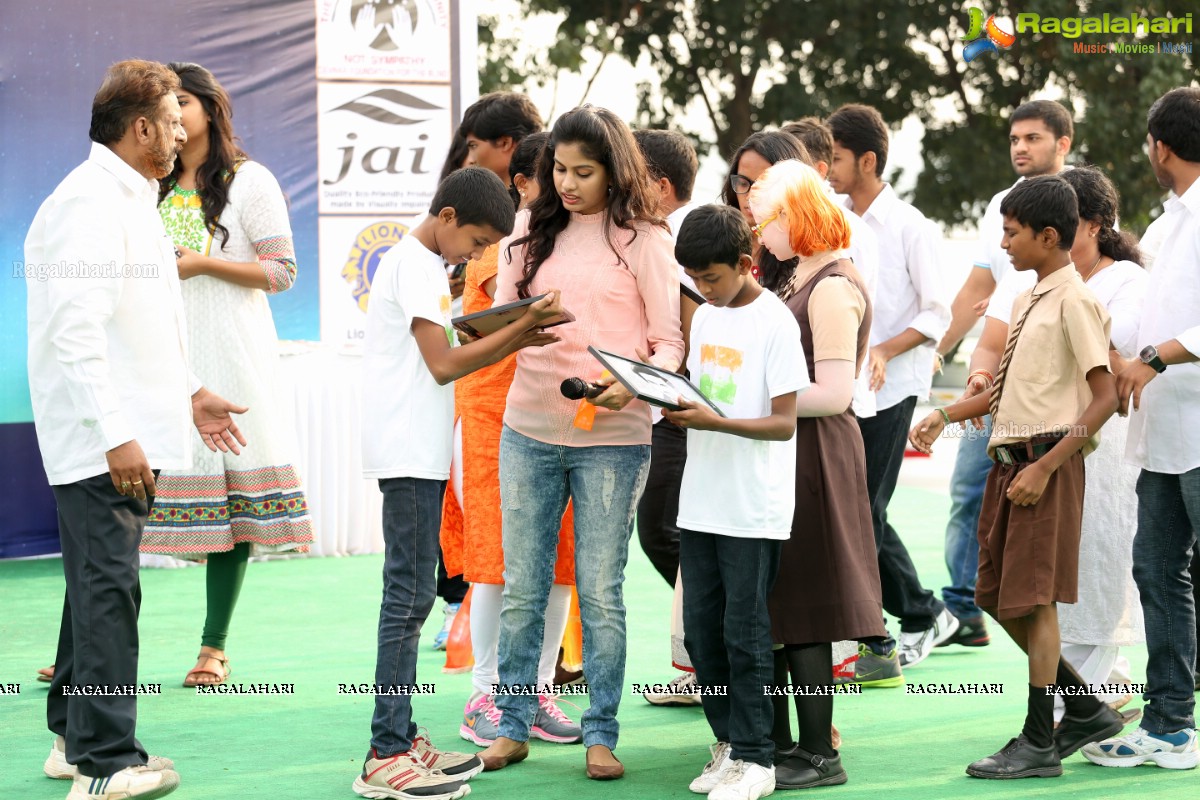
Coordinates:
[741,359]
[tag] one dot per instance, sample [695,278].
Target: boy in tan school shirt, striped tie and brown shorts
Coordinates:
[1052,395]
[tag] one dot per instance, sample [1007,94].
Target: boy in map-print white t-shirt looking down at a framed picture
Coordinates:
[739,494]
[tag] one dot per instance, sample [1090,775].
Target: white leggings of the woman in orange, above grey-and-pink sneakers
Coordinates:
[485,634]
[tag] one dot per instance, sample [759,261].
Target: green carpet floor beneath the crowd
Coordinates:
[313,623]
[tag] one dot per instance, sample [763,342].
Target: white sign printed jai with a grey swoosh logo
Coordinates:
[381,147]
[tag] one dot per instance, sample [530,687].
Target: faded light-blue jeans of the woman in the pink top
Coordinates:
[537,480]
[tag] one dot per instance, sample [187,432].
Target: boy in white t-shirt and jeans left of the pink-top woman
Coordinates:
[409,369]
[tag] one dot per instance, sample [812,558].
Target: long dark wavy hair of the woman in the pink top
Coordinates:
[604,139]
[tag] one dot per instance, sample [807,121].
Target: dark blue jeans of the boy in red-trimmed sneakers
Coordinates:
[412,520]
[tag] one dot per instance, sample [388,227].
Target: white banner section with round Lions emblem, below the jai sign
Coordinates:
[351,249]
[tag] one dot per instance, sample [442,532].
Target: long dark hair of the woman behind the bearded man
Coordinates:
[213,178]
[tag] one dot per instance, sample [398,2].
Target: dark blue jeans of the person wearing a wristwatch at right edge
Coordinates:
[1168,521]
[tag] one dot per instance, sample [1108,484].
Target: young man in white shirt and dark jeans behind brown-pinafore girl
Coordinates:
[911,314]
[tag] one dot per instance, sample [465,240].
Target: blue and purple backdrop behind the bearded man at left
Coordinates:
[53,56]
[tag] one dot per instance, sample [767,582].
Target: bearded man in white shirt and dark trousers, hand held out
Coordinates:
[110,386]
